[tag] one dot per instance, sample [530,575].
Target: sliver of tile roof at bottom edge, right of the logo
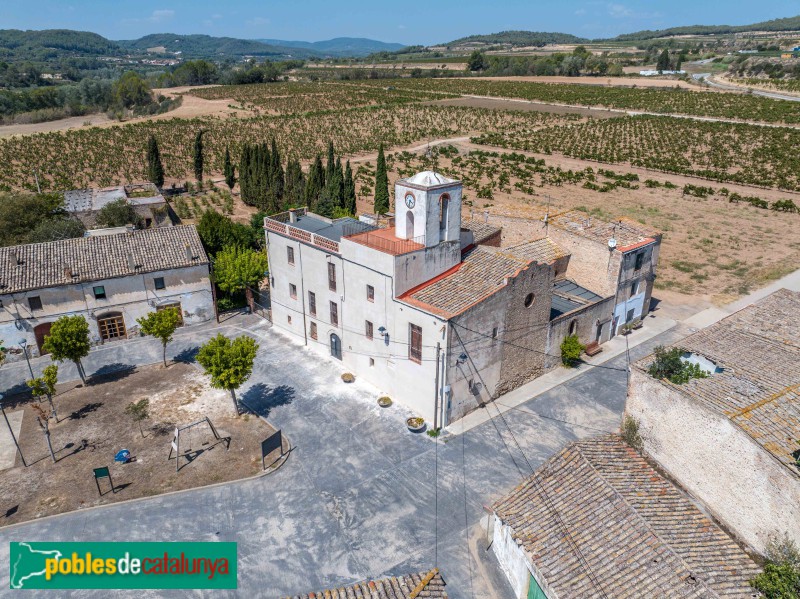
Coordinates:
[425,585]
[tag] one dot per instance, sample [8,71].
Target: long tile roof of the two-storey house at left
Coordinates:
[70,261]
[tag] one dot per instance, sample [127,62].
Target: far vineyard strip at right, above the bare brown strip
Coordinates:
[665,101]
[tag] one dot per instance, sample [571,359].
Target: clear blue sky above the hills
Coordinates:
[406,21]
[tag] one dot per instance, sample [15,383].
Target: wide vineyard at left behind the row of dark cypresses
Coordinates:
[114,155]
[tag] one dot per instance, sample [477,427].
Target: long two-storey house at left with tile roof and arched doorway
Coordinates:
[110,279]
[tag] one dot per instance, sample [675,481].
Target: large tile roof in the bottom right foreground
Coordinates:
[637,533]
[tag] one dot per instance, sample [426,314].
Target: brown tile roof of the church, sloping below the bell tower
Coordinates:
[480,274]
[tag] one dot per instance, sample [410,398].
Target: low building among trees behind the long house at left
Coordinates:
[146,199]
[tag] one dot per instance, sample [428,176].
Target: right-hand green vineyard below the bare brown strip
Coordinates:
[739,153]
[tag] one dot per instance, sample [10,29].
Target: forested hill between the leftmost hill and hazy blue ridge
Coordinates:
[206,46]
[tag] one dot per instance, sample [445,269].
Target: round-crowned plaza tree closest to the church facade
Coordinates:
[228,363]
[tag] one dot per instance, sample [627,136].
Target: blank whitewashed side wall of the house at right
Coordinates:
[736,478]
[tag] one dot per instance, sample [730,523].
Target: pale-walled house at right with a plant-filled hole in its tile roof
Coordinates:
[733,439]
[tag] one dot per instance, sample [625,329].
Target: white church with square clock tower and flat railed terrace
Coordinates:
[426,309]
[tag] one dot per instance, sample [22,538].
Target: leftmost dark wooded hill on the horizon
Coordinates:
[51,43]
